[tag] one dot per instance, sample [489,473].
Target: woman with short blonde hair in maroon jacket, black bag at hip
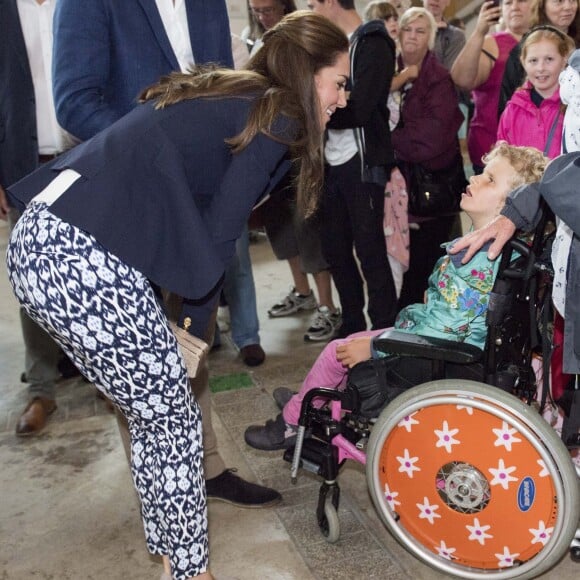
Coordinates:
[425,138]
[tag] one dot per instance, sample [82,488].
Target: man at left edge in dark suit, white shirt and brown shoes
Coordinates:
[29,136]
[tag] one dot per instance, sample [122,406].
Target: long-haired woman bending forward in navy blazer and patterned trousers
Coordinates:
[158,200]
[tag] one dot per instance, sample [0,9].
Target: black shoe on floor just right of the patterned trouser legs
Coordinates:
[230,488]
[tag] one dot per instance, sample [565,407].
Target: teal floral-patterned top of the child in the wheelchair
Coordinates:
[457,301]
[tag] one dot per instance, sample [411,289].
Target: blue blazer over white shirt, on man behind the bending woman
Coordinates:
[107,51]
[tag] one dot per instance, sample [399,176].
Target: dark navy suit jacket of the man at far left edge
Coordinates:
[18,133]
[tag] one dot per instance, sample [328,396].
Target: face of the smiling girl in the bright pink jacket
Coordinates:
[543,65]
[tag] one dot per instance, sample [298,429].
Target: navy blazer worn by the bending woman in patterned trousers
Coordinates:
[162,190]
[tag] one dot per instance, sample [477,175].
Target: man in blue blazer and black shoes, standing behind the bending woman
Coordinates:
[105,53]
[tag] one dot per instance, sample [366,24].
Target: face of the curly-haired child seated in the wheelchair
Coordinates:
[485,195]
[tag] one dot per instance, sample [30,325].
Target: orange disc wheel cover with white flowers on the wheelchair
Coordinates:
[510,496]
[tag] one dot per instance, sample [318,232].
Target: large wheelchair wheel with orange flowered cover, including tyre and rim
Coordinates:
[472,481]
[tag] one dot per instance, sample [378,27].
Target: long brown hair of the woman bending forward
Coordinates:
[280,77]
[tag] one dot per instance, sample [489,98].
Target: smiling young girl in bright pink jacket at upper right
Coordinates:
[534,115]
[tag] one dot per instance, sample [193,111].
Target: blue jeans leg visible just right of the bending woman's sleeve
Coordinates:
[240,295]
